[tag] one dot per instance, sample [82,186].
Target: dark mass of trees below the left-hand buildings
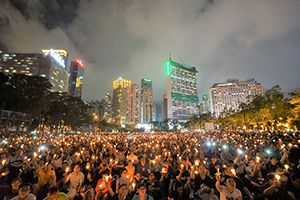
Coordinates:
[31,95]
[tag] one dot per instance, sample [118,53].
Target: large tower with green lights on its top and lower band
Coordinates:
[182,99]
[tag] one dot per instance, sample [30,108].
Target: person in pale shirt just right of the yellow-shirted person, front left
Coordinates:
[76,179]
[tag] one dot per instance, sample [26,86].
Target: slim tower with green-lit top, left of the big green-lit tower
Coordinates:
[147,106]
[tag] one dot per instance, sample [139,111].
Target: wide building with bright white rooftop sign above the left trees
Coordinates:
[45,65]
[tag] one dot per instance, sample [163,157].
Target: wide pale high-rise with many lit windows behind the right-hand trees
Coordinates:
[230,94]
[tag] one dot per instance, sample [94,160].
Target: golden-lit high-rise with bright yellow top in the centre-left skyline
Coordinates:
[119,100]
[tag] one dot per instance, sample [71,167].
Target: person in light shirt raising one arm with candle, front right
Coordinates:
[229,191]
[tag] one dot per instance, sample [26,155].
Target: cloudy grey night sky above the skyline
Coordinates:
[133,38]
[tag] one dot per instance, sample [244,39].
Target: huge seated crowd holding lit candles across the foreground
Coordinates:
[209,165]
